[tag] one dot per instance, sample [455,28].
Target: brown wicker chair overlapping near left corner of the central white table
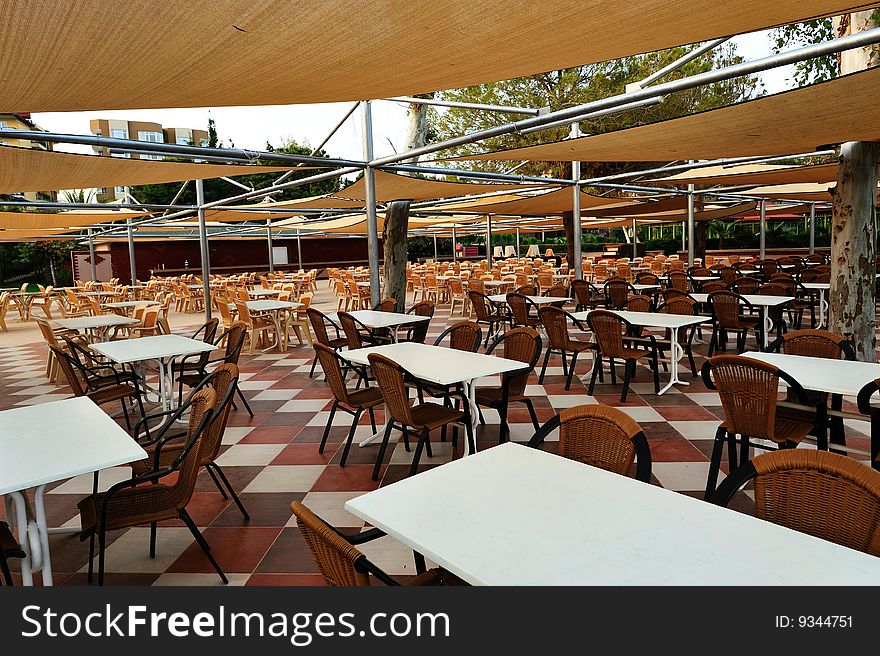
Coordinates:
[424,417]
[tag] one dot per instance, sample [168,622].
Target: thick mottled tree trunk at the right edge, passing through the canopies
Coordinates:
[853,232]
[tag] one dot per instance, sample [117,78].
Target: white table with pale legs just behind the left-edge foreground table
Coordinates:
[161,348]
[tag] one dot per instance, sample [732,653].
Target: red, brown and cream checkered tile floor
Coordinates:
[273,458]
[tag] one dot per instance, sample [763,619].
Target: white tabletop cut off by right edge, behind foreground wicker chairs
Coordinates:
[845,377]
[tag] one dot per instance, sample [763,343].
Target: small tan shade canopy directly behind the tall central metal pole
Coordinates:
[390,186]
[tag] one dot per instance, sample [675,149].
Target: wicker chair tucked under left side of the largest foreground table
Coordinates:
[342,564]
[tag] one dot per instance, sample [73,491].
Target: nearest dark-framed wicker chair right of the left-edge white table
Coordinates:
[146,499]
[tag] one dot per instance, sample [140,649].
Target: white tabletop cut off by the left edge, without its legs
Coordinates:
[52,441]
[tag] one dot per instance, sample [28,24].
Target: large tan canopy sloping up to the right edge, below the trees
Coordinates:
[801,120]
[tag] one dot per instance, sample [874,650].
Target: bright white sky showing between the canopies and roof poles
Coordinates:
[253,127]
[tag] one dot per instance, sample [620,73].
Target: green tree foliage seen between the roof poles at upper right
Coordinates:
[574,86]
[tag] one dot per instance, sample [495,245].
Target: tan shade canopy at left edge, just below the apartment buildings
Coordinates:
[26,169]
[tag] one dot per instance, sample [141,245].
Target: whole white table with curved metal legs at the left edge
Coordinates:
[50,442]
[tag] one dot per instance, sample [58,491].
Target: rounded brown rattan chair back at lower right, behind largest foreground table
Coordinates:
[824,494]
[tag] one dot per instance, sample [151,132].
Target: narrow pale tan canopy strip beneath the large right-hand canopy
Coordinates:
[752,174]
